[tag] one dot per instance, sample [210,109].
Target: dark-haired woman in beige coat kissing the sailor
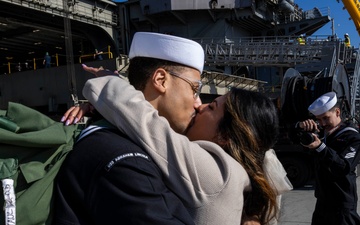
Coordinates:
[206,168]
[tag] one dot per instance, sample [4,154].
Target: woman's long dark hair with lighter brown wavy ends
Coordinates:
[250,125]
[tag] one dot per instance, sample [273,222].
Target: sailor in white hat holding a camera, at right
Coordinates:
[336,157]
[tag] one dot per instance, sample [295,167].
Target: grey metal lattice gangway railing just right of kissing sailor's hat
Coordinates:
[263,51]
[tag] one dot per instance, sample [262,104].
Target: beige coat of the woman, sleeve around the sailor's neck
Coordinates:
[209,181]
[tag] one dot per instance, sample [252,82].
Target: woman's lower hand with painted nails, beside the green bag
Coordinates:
[76,113]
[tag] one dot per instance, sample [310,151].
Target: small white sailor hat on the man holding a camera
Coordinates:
[323,104]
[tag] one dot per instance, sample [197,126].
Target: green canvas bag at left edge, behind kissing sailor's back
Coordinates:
[32,149]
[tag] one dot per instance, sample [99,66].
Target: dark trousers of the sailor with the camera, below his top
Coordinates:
[325,214]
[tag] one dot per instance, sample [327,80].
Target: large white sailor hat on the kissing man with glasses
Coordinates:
[168,47]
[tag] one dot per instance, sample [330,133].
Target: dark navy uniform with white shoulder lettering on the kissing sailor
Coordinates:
[107,179]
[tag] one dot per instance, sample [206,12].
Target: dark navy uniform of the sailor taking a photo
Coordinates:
[335,187]
